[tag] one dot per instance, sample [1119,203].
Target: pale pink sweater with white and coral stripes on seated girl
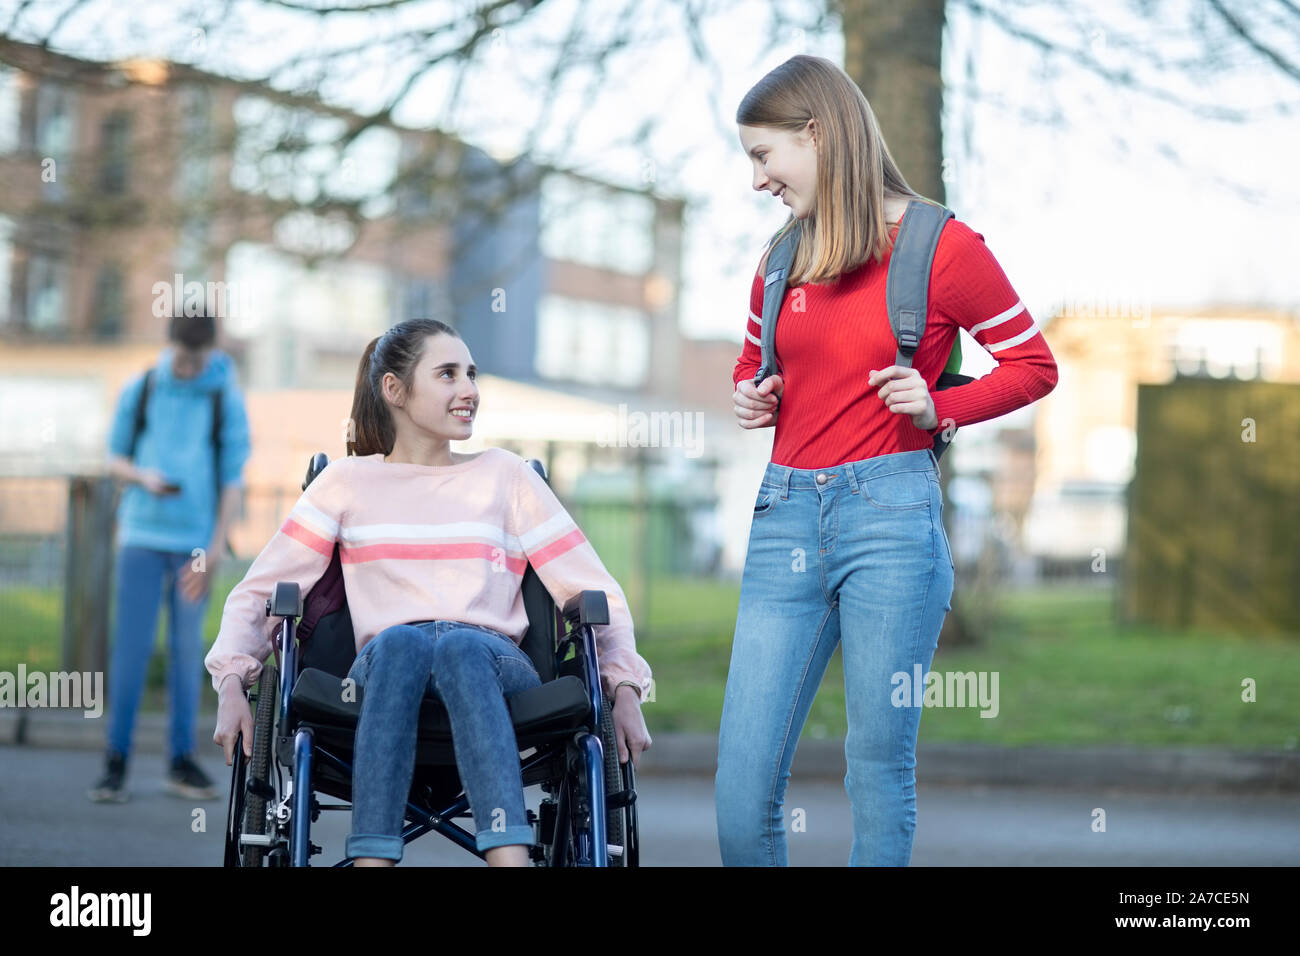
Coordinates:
[427,543]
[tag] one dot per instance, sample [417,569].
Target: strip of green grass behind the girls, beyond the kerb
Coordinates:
[1068,674]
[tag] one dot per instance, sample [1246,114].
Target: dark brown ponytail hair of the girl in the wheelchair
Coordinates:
[398,351]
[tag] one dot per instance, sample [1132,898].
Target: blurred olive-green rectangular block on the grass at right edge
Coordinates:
[1215,508]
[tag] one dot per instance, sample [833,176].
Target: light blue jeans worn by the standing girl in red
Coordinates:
[855,553]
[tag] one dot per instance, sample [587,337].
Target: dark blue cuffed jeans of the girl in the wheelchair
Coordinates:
[473,671]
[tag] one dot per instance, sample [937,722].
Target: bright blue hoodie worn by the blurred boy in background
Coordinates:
[177,440]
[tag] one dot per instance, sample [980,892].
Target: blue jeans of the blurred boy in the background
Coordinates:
[145,578]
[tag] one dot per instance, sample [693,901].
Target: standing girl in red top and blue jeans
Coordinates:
[848,543]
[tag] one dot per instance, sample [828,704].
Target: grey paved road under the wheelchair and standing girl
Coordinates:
[46,820]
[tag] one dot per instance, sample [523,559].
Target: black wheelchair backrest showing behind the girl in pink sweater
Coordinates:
[328,643]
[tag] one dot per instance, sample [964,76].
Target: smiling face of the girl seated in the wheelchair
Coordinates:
[444,396]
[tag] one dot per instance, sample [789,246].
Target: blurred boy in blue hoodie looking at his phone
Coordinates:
[181,455]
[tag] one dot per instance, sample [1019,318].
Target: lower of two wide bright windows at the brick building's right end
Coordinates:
[592,343]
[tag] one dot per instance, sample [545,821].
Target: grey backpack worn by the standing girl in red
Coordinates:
[907,293]
